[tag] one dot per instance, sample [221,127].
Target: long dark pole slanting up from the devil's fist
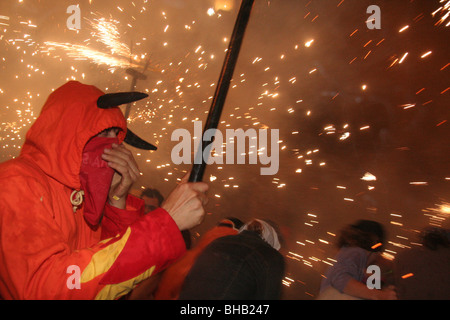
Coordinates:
[223,85]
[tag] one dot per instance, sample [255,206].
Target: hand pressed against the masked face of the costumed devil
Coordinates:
[126,173]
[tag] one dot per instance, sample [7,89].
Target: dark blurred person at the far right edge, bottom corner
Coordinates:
[423,273]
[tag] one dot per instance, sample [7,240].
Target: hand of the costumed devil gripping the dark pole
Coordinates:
[186,203]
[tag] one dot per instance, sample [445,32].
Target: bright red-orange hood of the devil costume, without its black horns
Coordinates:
[68,119]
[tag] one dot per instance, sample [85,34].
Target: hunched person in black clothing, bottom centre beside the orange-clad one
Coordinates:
[246,266]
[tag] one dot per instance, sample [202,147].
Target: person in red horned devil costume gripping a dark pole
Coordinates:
[68,227]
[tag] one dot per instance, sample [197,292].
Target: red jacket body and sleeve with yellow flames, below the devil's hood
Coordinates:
[36,261]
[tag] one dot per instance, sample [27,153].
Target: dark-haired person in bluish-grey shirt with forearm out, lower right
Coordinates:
[359,246]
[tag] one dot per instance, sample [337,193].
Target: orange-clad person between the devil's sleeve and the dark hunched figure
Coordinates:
[173,278]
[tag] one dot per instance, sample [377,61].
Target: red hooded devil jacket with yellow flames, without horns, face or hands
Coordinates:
[41,237]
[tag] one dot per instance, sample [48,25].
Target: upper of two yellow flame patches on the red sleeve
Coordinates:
[103,260]
